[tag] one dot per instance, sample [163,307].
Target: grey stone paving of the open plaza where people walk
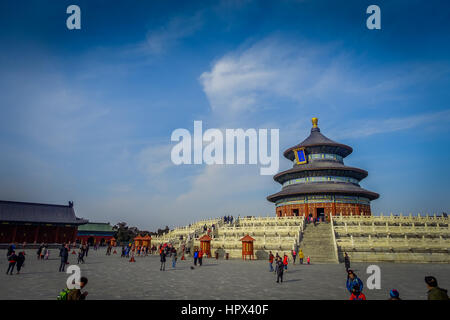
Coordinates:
[112,277]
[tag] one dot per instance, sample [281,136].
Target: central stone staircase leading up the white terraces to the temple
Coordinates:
[317,243]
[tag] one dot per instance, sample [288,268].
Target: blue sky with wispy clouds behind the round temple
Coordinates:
[87,115]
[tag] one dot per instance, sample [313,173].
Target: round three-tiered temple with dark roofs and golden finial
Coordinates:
[319,184]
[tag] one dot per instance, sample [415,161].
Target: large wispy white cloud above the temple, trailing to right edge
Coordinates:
[258,76]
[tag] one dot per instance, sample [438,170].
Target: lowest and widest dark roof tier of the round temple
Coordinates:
[323,188]
